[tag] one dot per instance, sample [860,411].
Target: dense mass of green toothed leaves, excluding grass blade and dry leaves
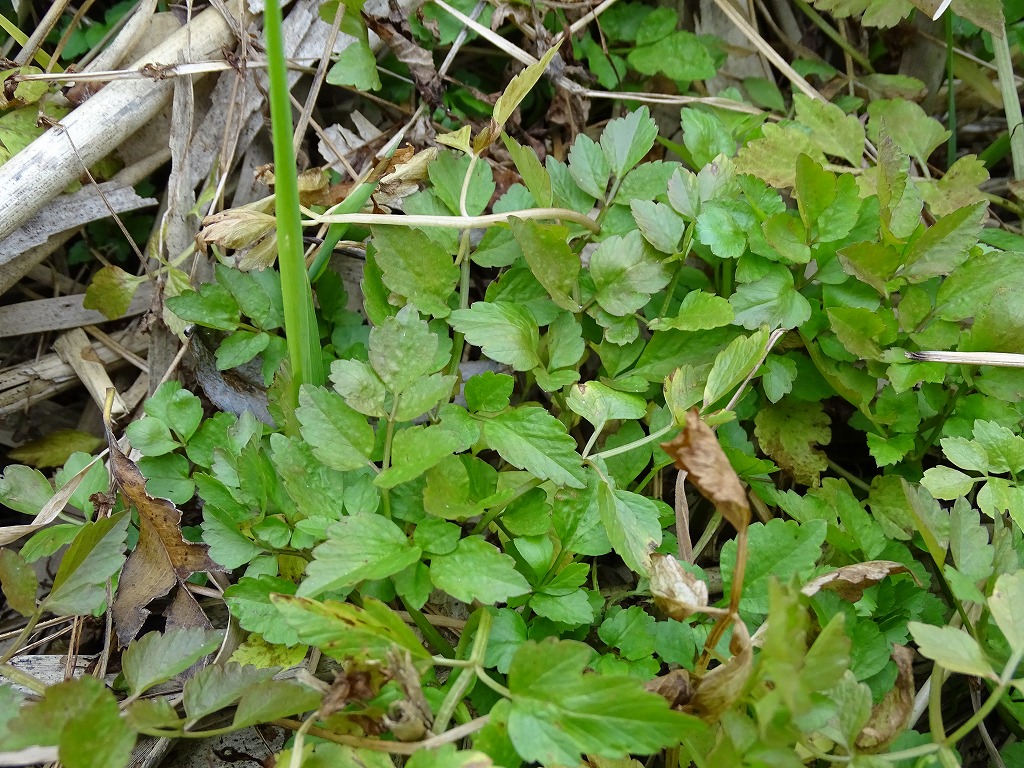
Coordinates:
[408,482]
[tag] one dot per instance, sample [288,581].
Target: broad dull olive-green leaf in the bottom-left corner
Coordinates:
[79,717]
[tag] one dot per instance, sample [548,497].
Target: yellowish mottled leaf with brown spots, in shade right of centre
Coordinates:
[789,433]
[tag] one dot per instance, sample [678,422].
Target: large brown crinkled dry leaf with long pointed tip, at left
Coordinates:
[161,559]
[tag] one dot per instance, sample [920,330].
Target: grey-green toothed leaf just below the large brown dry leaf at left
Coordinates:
[156,657]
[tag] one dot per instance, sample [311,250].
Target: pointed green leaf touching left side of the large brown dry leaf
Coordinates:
[95,557]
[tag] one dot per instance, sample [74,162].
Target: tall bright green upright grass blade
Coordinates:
[301,323]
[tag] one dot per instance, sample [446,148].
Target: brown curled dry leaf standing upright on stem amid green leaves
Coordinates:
[698,451]
